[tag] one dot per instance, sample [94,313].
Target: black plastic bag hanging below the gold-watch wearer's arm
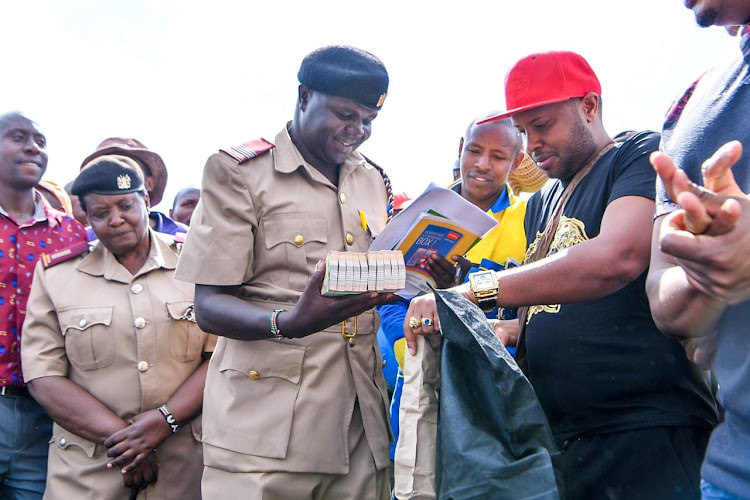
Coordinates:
[494,441]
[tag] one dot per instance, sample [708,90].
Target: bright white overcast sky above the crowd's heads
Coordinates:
[187,78]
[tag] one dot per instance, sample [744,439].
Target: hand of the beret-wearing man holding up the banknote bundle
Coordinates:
[315,312]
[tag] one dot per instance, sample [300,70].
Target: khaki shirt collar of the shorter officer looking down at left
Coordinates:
[102,262]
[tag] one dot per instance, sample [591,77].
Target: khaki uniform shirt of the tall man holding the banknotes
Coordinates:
[264,224]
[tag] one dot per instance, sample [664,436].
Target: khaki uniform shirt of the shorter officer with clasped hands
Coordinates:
[124,339]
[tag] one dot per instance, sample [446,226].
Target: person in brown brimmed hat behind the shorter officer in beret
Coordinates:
[154,172]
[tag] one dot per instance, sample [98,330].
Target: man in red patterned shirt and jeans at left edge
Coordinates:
[30,229]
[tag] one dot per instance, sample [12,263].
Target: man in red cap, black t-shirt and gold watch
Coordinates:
[629,412]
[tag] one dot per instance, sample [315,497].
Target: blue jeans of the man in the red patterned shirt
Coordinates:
[25,431]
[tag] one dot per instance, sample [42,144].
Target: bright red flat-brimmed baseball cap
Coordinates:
[546,78]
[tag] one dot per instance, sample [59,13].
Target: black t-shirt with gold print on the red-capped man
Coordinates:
[603,366]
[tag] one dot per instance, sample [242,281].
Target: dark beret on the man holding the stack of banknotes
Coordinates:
[346,72]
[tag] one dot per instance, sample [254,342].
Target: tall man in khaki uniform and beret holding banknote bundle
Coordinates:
[295,405]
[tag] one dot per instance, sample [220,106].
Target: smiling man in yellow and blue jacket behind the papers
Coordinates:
[487,154]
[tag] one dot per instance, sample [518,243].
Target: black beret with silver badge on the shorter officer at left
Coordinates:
[109,174]
